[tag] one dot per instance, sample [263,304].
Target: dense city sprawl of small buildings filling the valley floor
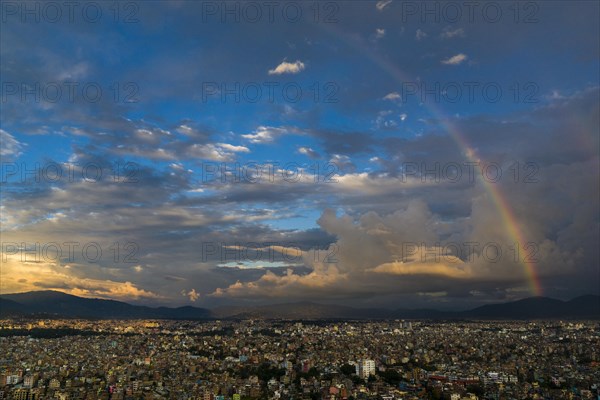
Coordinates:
[334,360]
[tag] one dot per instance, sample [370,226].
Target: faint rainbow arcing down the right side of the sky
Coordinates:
[510,221]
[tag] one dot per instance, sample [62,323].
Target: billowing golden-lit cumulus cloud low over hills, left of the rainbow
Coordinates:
[360,262]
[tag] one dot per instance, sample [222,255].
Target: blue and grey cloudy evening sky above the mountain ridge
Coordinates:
[369,153]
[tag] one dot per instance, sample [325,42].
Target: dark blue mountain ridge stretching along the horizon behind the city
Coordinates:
[53,304]
